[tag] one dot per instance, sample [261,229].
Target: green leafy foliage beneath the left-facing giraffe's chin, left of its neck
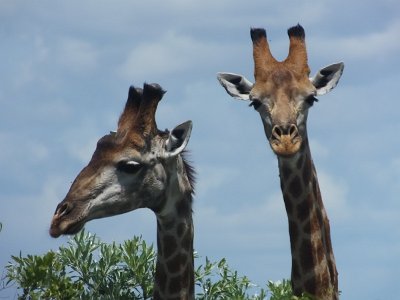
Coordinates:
[86,269]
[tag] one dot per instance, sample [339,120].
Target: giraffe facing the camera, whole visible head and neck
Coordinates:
[282,94]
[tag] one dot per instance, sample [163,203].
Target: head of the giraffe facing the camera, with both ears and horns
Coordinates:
[282,92]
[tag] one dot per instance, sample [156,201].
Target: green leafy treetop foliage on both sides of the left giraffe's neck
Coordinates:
[87,268]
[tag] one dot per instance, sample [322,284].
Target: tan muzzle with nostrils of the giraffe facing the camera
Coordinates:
[285,140]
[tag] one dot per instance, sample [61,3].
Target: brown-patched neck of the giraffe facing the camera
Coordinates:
[313,263]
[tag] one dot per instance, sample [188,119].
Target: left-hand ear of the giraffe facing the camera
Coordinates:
[235,85]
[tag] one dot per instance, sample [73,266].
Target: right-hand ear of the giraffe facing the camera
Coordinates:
[327,78]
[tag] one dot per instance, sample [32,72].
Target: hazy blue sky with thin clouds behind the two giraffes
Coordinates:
[65,72]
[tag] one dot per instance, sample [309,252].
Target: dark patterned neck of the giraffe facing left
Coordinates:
[174,277]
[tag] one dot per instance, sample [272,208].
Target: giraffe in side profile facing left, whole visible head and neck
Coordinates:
[140,166]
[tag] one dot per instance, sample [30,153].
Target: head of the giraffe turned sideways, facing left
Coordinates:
[130,169]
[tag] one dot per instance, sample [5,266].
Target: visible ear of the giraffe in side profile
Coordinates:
[178,139]
